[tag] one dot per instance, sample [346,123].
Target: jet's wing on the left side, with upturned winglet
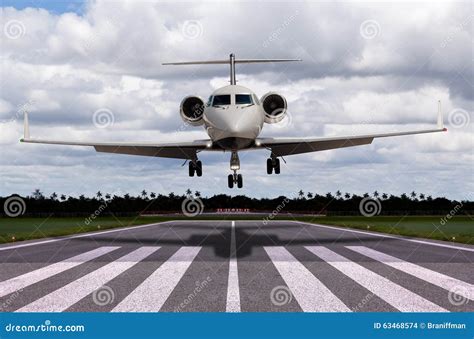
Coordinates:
[182,150]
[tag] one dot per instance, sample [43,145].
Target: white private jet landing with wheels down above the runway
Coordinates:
[233,117]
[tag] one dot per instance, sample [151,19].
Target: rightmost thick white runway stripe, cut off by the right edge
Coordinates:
[449,283]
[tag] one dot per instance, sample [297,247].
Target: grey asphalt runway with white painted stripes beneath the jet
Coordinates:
[236,266]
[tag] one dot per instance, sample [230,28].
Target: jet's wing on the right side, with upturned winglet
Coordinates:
[283,146]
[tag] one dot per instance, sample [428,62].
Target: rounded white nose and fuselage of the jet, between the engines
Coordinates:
[236,125]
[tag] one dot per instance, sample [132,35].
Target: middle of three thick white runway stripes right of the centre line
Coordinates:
[396,295]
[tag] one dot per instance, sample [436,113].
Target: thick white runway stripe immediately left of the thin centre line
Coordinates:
[150,295]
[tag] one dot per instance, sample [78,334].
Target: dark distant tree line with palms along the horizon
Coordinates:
[338,203]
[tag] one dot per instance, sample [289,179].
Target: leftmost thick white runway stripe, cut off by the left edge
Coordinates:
[30,278]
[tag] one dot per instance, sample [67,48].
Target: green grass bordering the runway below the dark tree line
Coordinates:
[458,229]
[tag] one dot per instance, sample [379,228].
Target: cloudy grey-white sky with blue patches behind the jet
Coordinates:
[366,67]
